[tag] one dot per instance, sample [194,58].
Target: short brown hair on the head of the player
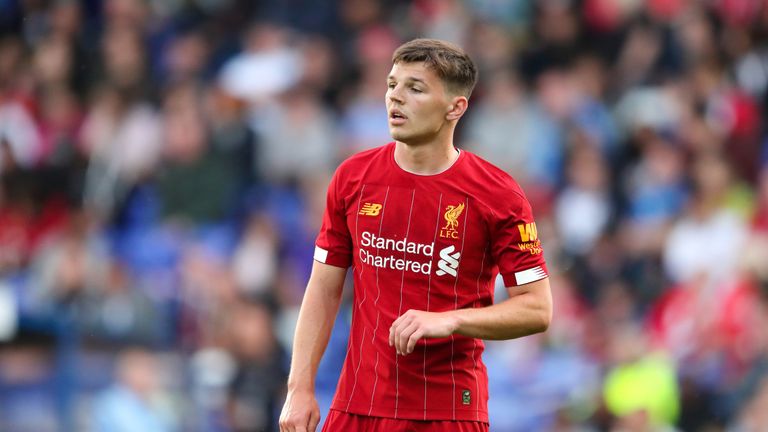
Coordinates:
[451,63]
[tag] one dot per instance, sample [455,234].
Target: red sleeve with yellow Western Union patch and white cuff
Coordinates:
[515,243]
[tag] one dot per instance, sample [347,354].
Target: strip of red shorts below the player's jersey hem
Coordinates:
[339,421]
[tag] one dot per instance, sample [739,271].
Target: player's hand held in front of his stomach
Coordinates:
[414,325]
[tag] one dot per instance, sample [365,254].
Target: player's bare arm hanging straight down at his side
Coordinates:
[316,317]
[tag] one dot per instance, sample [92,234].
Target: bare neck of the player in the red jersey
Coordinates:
[425,159]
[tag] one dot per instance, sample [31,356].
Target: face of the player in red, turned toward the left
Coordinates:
[417,103]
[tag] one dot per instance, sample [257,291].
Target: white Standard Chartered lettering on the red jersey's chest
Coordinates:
[370,240]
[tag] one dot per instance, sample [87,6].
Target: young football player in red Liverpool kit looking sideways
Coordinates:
[426,228]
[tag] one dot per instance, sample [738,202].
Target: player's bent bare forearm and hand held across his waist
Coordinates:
[528,310]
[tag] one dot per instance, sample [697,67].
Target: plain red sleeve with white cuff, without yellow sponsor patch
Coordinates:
[334,243]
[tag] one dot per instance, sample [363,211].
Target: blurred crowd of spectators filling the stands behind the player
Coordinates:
[163,167]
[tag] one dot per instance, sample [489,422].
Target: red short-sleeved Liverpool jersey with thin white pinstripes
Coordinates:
[431,243]
